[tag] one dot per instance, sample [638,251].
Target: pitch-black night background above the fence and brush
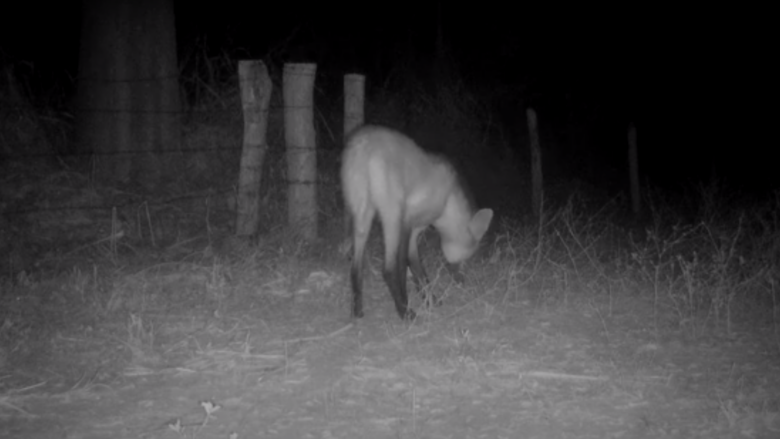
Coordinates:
[696,80]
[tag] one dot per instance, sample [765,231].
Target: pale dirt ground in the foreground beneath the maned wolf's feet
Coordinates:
[204,353]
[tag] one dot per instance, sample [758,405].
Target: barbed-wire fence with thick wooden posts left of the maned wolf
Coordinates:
[214,127]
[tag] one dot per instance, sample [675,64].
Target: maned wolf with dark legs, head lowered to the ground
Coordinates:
[384,171]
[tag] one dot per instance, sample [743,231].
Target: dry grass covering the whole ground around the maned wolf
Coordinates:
[575,324]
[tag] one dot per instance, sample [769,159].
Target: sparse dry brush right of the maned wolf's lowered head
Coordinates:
[706,275]
